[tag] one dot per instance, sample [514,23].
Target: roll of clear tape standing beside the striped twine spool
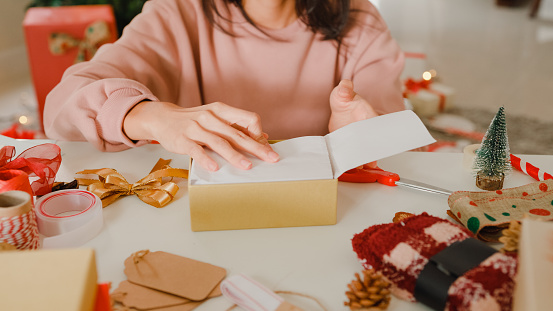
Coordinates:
[68,218]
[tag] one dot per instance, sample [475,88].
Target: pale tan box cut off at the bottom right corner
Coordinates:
[535,271]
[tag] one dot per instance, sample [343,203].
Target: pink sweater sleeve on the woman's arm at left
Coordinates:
[93,98]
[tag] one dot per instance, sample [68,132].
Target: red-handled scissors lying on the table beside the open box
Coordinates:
[369,175]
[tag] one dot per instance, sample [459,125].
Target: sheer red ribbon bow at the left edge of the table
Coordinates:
[42,162]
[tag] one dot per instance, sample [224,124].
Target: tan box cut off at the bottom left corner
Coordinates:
[48,279]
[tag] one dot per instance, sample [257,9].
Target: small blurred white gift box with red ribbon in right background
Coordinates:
[427,97]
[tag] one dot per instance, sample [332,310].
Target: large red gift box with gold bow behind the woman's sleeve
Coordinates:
[57,37]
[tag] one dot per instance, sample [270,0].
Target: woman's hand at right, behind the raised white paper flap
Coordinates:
[347,106]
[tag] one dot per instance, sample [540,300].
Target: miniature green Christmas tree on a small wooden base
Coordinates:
[492,158]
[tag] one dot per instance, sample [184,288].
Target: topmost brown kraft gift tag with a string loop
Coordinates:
[174,274]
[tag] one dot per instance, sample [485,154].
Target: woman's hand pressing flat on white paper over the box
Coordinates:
[226,130]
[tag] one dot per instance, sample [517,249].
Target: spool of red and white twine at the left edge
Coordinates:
[18,225]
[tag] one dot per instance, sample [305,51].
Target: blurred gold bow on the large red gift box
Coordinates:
[95,35]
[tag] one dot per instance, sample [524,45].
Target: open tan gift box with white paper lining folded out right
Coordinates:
[300,189]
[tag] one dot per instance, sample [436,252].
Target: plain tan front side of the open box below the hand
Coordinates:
[263,205]
